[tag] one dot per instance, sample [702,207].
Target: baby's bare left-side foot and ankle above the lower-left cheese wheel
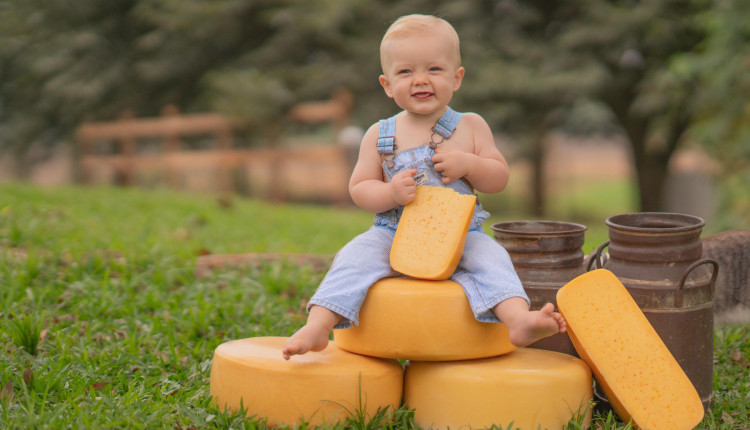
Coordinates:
[314,335]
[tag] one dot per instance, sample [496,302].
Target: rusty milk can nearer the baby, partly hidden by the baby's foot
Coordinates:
[546,255]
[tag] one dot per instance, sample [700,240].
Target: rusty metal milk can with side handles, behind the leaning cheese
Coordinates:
[657,256]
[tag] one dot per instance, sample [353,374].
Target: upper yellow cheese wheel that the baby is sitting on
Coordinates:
[415,319]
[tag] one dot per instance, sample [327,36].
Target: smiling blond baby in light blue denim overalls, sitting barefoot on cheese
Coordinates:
[425,144]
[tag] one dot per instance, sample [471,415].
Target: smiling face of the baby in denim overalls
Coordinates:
[422,72]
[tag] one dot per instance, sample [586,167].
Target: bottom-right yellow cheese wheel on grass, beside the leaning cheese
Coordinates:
[532,388]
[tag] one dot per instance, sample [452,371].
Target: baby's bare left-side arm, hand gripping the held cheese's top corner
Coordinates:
[368,188]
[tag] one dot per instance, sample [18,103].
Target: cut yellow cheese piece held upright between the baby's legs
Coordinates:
[431,233]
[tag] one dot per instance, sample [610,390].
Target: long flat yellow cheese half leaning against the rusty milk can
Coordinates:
[639,375]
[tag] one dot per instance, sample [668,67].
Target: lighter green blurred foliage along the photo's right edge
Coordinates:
[720,65]
